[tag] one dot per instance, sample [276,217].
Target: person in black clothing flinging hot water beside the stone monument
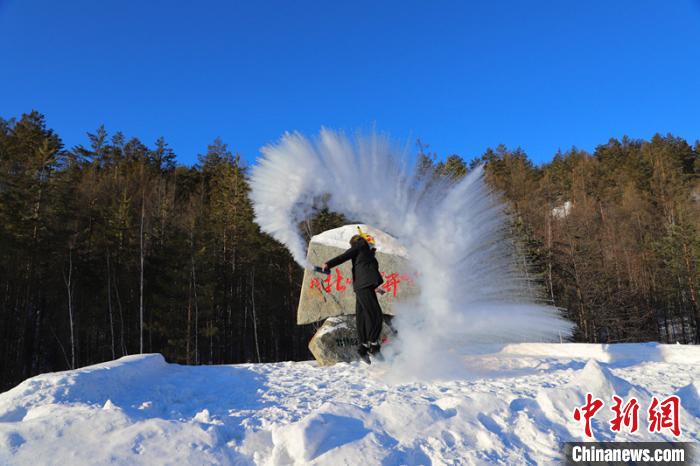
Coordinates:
[366,280]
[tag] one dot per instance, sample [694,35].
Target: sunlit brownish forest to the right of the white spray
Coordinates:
[612,236]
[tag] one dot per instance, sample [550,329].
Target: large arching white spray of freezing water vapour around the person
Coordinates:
[456,234]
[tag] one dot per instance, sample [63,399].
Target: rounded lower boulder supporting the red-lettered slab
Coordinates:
[336,340]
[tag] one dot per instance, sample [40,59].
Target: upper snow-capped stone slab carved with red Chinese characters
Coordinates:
[324,296]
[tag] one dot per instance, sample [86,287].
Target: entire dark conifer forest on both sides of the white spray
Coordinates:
[112,248]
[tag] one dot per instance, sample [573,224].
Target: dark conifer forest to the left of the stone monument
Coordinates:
[111,248]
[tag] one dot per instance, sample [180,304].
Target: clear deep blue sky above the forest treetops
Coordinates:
[461,76]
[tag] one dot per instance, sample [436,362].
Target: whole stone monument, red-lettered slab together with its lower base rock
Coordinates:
[331,296]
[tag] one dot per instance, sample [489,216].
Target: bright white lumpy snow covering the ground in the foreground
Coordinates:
[511,405]
